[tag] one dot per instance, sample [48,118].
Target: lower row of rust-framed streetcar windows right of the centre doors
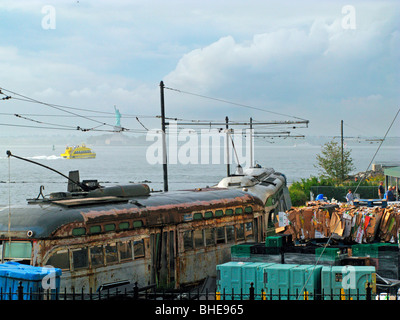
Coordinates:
[200,238]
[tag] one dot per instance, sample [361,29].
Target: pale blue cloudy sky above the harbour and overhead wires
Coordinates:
[322,61]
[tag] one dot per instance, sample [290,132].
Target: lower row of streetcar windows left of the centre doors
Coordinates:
[97,256]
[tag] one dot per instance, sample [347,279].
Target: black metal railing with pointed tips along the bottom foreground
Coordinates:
[133,292]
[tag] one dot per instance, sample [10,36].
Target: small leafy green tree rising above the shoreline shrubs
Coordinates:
[334,162]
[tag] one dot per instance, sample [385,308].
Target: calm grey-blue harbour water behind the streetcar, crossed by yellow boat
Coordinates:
[128,164]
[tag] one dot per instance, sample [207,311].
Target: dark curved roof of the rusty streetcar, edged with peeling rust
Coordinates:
[44,219]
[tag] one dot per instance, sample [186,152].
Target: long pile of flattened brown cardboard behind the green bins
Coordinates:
[344,222]
